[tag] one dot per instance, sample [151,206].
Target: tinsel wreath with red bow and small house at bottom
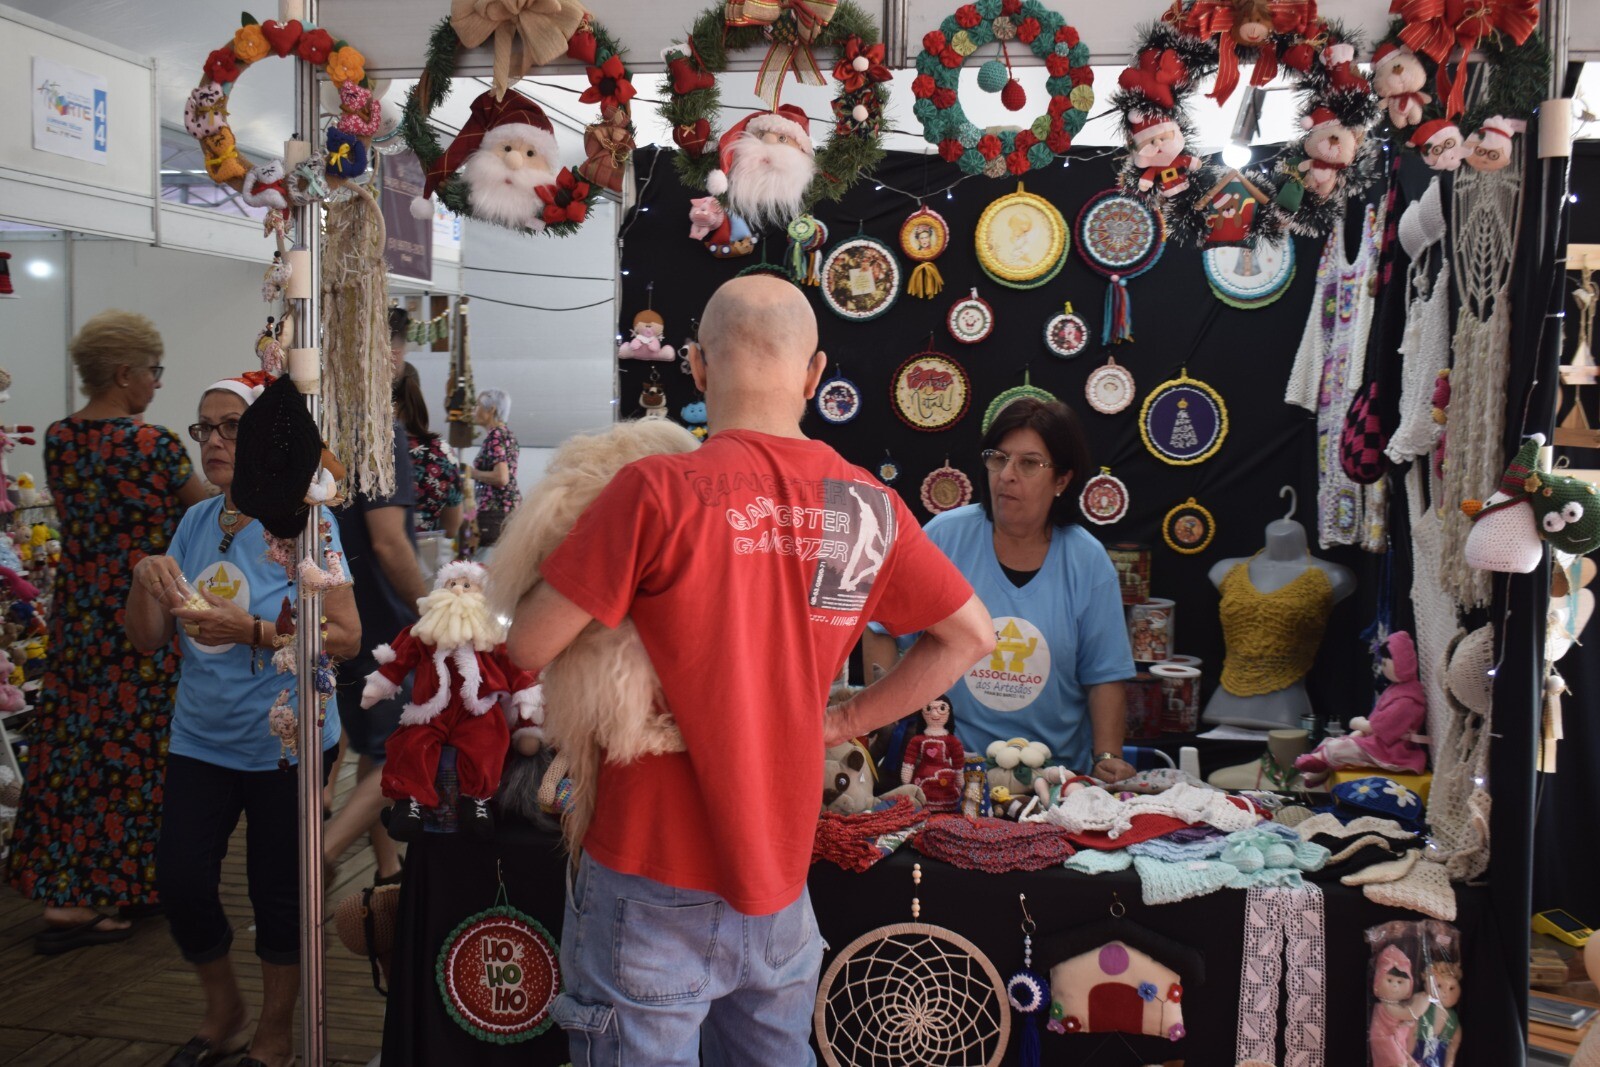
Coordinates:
[1303,193]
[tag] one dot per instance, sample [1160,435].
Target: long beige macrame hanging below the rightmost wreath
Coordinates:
[1486,223]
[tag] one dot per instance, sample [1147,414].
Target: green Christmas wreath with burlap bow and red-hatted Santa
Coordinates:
[566,202]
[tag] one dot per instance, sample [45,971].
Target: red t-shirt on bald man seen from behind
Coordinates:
[751,569]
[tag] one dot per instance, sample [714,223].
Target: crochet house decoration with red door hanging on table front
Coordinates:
[1118,977]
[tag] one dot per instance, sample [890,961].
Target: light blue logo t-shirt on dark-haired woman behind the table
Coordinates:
[1055,637]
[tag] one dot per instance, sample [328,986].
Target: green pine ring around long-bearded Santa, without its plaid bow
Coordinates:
[692,98]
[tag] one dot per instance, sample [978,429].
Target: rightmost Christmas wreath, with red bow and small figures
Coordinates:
[1417,57]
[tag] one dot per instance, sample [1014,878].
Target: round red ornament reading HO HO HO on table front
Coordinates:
[498,975]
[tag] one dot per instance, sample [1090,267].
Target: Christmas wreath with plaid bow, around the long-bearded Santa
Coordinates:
[791,30]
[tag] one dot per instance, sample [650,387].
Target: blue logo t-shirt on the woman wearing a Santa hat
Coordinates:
[222,709]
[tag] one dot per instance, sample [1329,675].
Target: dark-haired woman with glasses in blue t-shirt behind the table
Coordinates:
[1062,644]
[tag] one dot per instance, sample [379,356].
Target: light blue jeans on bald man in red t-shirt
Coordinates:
[654,972]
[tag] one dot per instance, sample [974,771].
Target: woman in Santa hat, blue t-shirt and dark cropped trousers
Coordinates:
[225,761]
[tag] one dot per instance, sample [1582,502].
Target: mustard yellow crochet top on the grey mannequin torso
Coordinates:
[1271,637]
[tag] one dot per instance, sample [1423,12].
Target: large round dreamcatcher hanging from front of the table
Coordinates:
[913,994]
